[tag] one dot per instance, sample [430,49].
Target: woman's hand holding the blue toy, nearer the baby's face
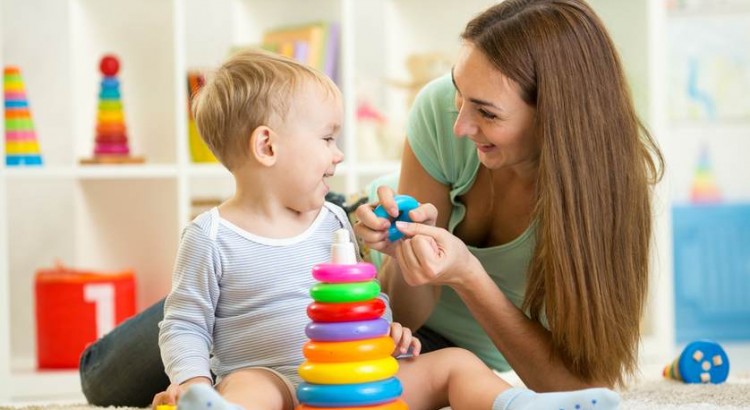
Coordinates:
[373,230]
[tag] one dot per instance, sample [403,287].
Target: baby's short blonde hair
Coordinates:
[252,88]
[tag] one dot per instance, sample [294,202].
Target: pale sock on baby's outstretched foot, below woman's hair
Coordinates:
[517,398]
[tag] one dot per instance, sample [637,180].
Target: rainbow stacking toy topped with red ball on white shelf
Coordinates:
[111,143]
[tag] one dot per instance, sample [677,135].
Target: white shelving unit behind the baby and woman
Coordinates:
[111,217]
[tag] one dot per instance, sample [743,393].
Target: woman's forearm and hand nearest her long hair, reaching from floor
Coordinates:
[433,256]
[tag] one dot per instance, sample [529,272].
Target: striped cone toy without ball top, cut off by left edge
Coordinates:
[21,146]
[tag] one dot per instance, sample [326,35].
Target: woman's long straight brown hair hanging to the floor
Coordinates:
[589,273]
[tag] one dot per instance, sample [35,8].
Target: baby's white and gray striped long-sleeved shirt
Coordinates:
[239,300]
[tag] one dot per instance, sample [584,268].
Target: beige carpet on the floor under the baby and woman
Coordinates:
[651,393]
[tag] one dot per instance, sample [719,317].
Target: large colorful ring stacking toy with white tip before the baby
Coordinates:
[349,362]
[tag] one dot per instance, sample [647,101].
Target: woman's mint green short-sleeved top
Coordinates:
[453,161]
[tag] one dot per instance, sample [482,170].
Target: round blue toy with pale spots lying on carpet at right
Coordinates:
[702,361]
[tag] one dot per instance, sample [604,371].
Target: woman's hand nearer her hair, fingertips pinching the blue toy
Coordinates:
[432,255]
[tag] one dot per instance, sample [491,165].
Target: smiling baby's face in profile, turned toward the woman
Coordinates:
[308,153]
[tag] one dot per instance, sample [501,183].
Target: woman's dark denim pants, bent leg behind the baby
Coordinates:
[124,367]
